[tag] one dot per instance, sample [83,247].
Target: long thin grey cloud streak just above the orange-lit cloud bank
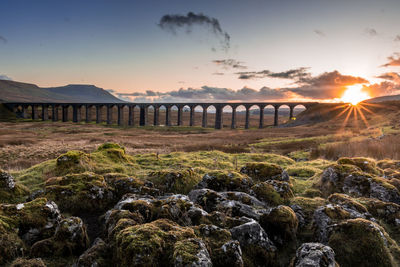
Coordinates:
[297,74]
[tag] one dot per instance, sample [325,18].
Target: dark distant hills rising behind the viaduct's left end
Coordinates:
[11,91]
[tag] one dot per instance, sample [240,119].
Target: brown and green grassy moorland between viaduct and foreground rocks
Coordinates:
[25,143]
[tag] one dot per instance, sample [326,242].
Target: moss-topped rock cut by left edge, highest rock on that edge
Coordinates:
[11,192]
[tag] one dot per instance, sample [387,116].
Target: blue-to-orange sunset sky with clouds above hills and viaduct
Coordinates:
[205,50]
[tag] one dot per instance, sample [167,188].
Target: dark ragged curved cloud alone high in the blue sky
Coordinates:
[174,22]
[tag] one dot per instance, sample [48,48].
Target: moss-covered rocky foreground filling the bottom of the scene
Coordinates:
[84,210]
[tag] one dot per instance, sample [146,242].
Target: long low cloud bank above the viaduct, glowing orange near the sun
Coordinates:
[328,85]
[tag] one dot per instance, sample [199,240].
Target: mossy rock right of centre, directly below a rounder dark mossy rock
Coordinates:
[273,192]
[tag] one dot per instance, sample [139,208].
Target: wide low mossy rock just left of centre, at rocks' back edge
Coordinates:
[175,181]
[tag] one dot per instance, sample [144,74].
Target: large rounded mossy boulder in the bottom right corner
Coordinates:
[359,242]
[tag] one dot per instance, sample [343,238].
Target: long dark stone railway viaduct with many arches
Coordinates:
[143,111]
